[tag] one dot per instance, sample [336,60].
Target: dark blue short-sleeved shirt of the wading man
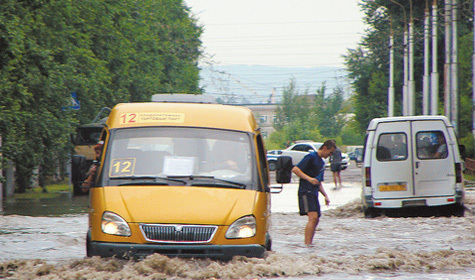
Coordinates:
[314,166]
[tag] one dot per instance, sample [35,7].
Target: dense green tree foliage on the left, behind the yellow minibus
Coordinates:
[106,51]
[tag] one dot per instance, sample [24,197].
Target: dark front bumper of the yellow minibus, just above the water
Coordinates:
[139,251]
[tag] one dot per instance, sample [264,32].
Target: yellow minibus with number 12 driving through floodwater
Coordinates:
[182,177]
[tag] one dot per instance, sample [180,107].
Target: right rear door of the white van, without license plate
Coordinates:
[433,173]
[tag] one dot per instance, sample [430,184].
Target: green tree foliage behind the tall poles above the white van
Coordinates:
[368,64]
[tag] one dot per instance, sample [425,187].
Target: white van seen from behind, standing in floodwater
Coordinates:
[412,161]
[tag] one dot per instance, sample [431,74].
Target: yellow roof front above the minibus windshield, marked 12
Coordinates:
[182,114]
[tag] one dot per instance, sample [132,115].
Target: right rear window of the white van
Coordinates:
[431,145]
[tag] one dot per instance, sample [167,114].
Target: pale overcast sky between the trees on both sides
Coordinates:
[288,33]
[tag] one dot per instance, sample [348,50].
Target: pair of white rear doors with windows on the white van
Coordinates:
[421,169]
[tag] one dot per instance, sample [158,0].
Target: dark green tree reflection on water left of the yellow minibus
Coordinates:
[63,204]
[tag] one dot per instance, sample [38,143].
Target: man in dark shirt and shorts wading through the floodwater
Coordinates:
[309,169]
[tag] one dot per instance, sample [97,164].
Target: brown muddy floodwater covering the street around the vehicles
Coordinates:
[38,241]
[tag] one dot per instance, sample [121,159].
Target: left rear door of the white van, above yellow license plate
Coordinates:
[391,161]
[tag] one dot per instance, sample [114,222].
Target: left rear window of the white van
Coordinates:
[391,146]
